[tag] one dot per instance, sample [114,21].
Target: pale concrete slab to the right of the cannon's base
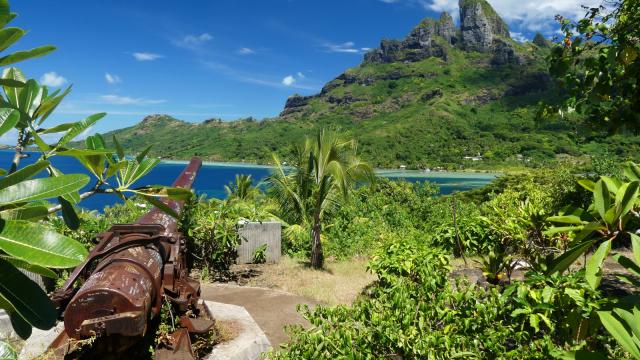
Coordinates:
[249,341]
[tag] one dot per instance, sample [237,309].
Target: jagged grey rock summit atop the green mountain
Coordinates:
[481,29]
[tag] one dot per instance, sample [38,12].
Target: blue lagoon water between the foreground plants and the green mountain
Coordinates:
[214,176]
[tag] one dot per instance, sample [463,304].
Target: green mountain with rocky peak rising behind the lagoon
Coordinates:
[445,95]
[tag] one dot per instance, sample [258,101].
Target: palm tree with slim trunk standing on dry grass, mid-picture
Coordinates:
[326,171]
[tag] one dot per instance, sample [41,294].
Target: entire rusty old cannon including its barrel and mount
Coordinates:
[121,287]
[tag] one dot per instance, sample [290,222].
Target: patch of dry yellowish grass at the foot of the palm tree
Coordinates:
[341,282]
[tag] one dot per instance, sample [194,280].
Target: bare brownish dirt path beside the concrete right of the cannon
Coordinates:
[271,309]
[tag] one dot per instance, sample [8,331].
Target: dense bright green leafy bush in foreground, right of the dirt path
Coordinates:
[416,311]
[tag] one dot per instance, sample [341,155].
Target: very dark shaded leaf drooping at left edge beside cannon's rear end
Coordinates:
[26,297]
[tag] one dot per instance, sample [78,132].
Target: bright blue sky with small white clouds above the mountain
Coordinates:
[201,59]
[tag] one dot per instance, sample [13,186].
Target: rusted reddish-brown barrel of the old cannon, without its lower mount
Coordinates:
[135,266]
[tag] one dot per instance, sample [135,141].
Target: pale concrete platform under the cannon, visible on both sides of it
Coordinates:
[247,343]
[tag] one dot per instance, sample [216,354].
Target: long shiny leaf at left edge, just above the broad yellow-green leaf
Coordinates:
[40,189]
